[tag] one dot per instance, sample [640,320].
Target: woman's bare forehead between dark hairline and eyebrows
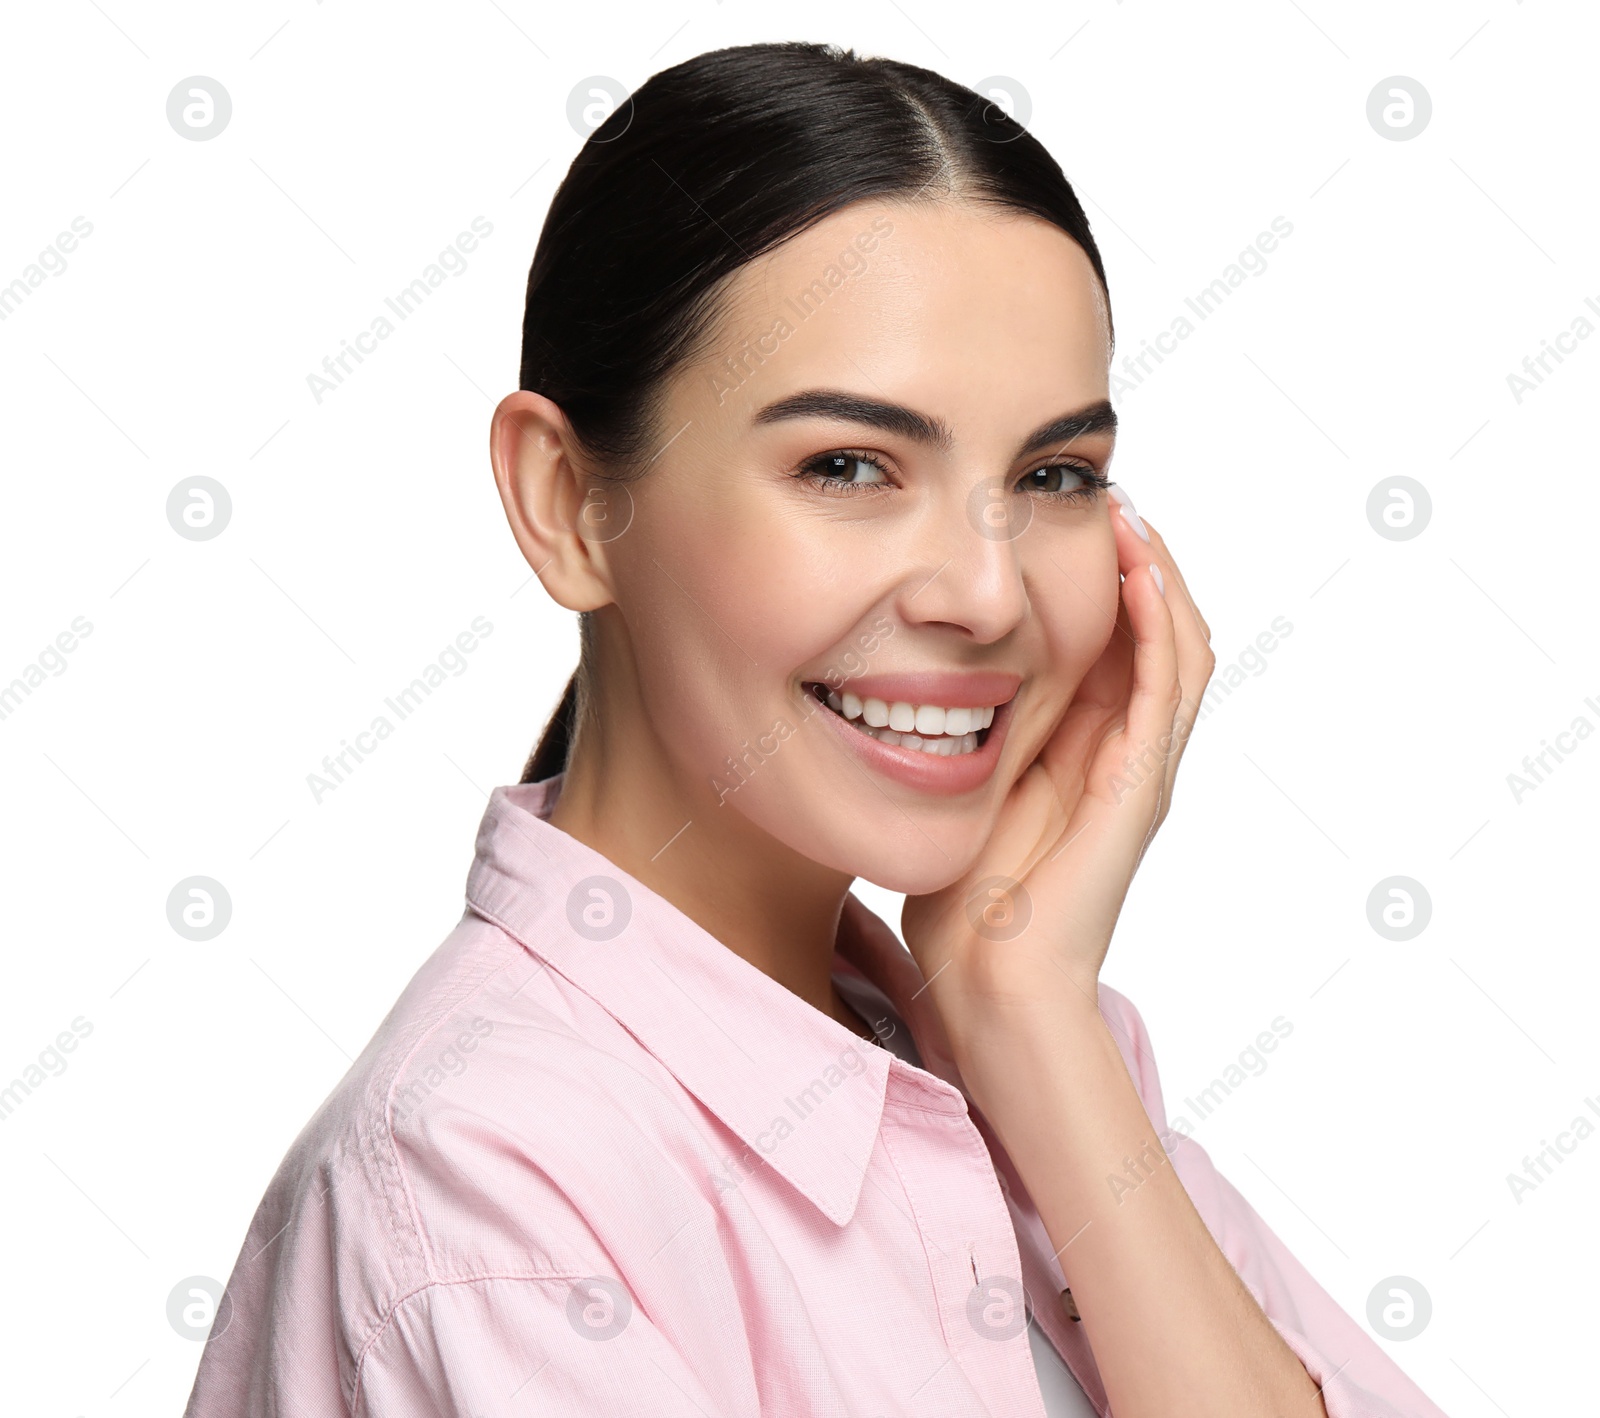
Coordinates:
[993,314]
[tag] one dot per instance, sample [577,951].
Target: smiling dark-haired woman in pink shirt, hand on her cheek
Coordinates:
[814,435]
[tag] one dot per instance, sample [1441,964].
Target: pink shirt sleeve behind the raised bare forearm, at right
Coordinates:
[1358,1379]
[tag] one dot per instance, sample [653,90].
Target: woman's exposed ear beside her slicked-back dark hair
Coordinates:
[543,489]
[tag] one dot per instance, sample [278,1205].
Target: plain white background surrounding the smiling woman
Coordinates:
[367,535]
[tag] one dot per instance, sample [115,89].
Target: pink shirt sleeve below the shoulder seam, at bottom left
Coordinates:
[556,1347]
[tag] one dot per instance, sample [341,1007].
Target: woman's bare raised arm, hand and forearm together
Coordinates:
[1012,958]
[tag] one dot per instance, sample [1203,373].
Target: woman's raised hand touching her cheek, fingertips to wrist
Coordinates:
[1030,924]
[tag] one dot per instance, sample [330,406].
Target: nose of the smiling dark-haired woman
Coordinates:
[966,563]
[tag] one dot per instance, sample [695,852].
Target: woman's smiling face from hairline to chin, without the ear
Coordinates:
[882,479]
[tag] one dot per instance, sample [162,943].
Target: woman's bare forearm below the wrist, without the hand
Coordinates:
[1174,1329]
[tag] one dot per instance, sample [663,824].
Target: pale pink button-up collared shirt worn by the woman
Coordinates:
[594,1163]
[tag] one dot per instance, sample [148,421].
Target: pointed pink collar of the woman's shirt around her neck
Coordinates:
[798,1088]
